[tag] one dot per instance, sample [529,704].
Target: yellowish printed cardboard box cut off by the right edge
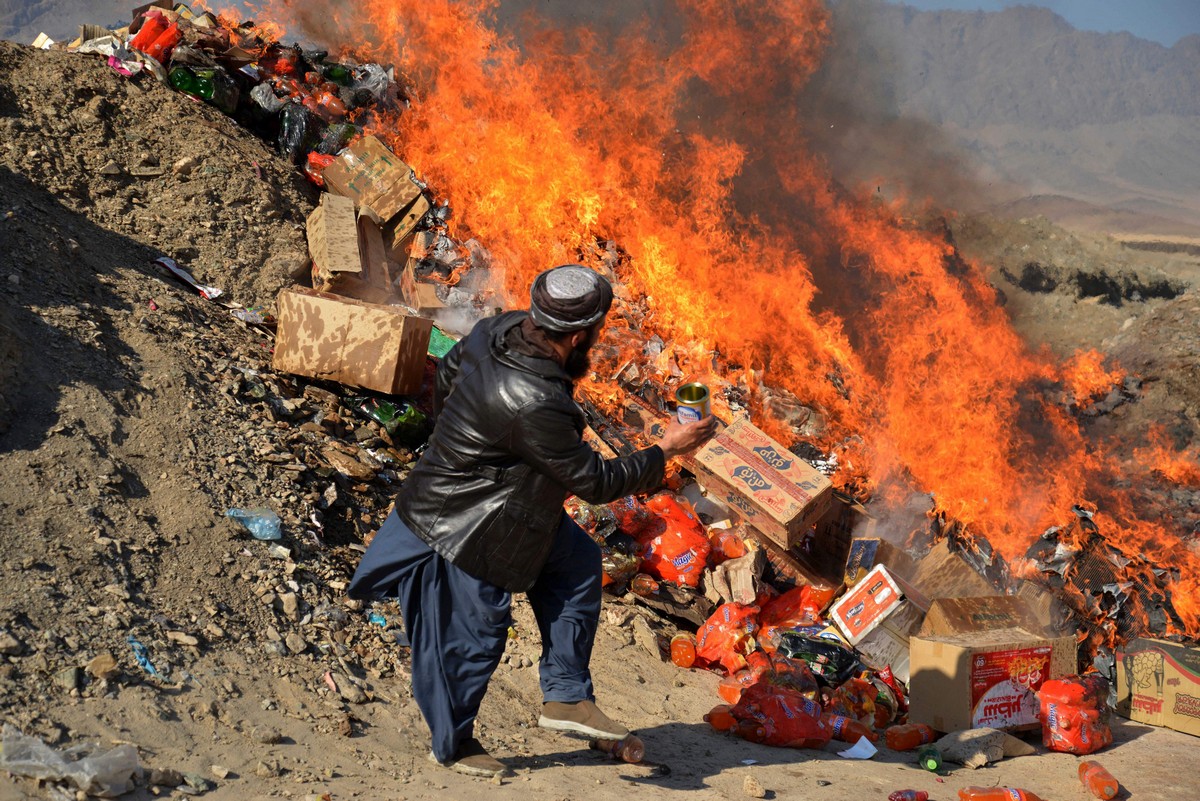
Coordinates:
[1159,683]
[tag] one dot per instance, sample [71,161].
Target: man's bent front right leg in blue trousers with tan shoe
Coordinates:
[566,601]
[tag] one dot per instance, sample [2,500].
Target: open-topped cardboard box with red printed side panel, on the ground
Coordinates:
[971,667]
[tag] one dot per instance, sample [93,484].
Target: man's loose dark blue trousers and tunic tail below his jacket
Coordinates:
[458,625]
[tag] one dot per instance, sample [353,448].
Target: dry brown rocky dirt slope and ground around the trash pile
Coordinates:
[134,414]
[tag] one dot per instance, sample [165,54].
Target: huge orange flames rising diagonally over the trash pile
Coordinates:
[681,142]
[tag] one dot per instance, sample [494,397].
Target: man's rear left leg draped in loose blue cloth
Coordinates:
[458,627]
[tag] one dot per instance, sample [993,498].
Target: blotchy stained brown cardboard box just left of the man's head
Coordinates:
[351,342]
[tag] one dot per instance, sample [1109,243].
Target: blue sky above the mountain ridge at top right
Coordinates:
[1161,21]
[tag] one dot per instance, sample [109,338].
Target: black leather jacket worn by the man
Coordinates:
[507,451]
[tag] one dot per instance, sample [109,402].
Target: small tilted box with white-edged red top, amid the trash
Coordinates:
[879,616]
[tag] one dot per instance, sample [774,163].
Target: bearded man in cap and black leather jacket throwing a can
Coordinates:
[482,517]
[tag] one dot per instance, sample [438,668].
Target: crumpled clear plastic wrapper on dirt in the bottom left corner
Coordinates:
[107,775]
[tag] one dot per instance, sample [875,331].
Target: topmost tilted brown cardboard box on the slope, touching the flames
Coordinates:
[375,179]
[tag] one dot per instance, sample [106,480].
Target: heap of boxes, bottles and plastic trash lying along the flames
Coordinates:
[826,623]
